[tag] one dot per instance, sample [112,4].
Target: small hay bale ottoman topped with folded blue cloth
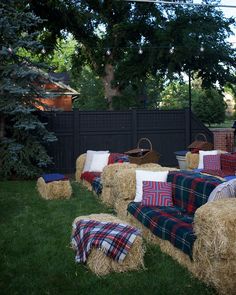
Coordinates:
[54,186]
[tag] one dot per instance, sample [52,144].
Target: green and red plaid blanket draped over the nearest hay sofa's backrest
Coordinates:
[191,190]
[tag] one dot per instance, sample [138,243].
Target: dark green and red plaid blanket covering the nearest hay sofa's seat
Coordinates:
[168,223]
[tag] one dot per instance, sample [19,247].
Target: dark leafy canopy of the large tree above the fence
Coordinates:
[123,42]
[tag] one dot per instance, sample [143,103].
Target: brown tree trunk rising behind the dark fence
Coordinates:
[110,91]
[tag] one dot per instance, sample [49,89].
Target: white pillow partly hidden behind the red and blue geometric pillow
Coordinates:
[145,175]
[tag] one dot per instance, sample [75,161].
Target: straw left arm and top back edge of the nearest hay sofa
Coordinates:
[125,187]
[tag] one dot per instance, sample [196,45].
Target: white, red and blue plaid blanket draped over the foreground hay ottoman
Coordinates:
[114,239]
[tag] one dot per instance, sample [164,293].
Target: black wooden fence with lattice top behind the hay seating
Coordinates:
[119,131]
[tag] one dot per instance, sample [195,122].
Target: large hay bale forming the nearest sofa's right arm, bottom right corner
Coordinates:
[215,248]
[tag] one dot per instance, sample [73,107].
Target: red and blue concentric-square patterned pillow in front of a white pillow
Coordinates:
[157,193]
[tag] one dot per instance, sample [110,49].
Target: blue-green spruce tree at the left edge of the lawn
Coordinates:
[22,134]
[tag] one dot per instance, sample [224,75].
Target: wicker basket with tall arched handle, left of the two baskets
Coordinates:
[141,156]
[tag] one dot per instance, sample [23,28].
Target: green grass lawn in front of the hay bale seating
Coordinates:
[36,257]
